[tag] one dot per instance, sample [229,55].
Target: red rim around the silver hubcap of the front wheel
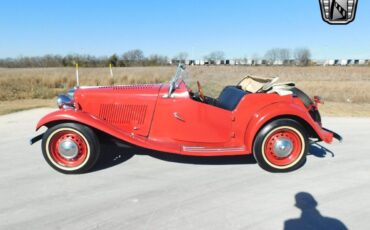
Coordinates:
[75,138]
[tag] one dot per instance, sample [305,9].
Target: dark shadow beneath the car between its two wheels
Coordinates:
[114,153]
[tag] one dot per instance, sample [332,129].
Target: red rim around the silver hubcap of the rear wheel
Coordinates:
[287,135]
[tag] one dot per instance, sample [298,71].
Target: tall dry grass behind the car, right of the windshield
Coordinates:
[336,84]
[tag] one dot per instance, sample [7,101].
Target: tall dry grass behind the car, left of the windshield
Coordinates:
[48,82]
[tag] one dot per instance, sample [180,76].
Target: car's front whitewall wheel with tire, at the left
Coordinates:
[70,148]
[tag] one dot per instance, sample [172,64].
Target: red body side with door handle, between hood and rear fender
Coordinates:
[183,119]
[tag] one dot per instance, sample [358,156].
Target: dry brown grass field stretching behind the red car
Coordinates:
[345,89]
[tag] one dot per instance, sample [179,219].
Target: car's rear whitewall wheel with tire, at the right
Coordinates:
[281,146]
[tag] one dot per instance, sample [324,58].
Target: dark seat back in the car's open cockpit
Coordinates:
[230,97]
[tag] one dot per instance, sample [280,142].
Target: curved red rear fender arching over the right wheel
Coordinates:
[283,109]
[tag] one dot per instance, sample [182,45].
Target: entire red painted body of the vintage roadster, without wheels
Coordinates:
[145,116]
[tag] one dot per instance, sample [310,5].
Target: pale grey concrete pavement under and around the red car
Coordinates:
[136,189]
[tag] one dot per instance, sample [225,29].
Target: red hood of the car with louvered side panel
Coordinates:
[127,107]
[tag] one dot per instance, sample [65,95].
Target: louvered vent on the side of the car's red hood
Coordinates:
[123,114]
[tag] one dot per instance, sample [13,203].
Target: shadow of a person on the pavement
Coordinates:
[310,217]
